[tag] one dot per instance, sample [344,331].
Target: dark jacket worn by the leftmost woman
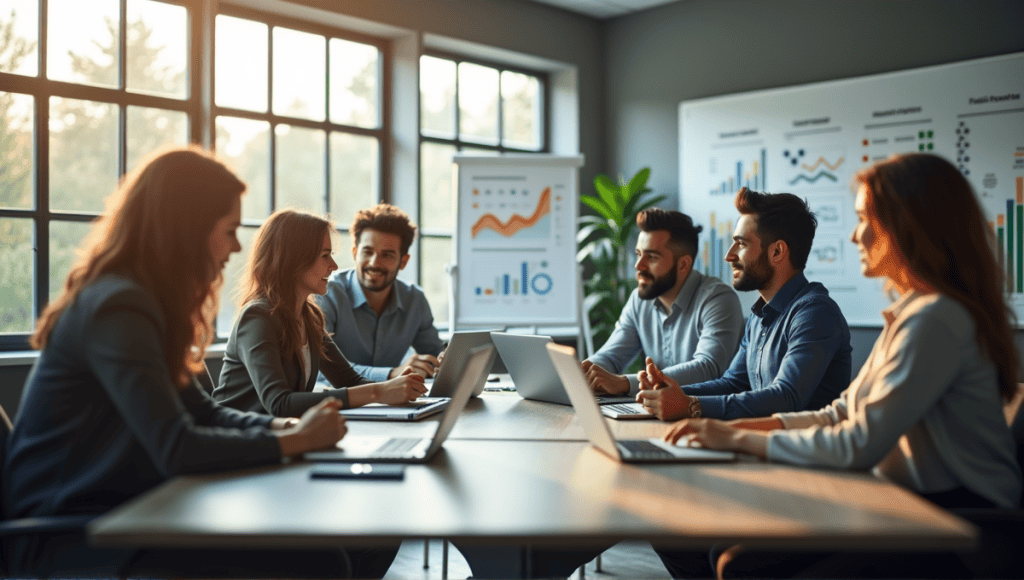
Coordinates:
[102,422]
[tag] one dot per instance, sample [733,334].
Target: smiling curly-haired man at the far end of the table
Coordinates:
[374,317]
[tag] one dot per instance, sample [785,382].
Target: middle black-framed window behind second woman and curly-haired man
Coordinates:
[310,137]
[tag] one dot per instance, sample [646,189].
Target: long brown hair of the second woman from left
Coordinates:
[286,246]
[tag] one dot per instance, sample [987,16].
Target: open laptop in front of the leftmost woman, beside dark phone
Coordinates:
[415,450]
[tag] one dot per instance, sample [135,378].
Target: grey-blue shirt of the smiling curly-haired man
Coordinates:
[375,345]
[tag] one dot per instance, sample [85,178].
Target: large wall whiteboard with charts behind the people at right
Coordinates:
[812,140]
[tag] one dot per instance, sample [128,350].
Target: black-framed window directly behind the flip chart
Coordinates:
[475,108]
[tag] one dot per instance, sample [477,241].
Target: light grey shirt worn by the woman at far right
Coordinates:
[925,410]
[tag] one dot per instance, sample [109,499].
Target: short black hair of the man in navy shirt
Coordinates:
[781,217]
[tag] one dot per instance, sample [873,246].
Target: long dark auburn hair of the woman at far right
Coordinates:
[932,215]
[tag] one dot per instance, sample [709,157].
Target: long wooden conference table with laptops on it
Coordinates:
[522,473]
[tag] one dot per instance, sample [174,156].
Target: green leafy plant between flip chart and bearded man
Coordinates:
[604,243]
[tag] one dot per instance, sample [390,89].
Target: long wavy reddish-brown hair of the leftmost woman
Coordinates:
[156,230]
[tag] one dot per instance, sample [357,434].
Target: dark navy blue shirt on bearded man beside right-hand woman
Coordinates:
[795,356]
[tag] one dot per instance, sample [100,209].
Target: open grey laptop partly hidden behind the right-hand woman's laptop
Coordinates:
[535,378]
